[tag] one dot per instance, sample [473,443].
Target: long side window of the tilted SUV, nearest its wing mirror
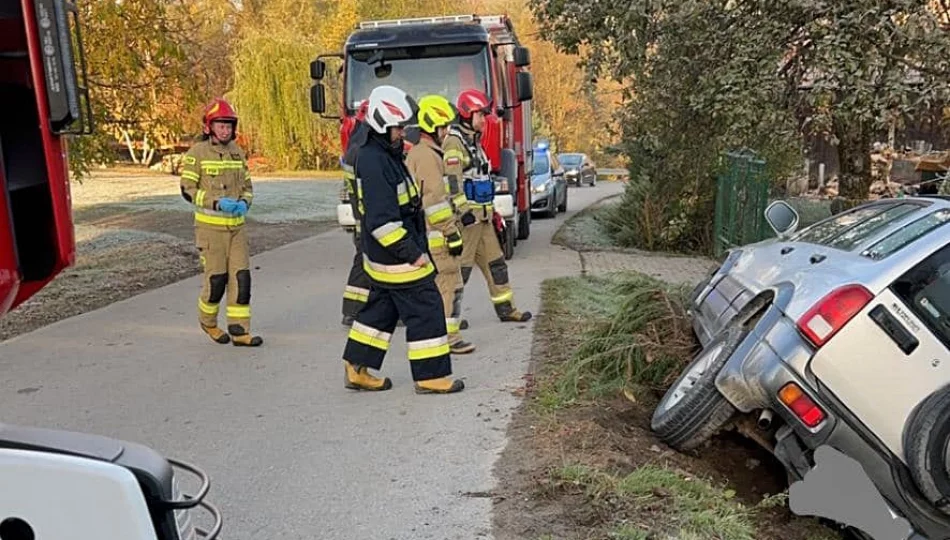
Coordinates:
[849,229]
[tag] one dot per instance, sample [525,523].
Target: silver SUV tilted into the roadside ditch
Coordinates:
[837,336]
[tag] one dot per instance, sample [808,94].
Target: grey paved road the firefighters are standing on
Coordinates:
[291,453]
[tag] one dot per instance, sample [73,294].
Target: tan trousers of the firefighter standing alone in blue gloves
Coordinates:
[226,262]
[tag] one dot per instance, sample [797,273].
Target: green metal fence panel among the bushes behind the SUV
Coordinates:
[742,194]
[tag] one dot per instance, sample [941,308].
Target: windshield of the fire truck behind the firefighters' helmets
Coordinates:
[436,69]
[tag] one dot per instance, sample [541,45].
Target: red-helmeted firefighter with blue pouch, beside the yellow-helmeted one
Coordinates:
[467,170]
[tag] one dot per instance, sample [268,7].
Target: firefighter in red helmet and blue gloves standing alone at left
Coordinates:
[216,180]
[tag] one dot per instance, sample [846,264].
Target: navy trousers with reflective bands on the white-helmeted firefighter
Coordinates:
[419,306]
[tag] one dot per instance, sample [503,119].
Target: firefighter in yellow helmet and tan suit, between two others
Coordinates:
[445,239]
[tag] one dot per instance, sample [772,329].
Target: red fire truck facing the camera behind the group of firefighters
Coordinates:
[445,55]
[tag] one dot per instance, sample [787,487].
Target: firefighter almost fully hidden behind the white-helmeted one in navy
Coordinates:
[357,284]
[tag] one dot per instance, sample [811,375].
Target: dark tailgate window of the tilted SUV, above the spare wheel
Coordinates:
[926,290]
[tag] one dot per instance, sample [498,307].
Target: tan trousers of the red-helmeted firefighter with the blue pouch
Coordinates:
[481,248]
